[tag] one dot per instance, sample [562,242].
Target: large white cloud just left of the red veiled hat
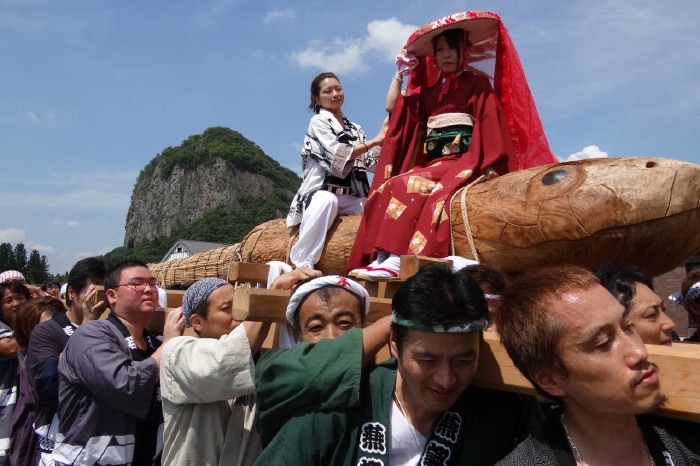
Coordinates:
[384,38]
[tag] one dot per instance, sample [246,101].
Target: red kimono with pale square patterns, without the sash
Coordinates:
[409,213]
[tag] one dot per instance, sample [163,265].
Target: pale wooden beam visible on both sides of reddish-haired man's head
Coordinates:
[679,369]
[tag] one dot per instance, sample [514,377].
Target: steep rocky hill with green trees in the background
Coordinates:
[213,187]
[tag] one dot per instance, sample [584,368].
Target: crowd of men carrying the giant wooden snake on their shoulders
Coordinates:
[79,388]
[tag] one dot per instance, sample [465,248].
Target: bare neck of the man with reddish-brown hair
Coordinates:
[603,439]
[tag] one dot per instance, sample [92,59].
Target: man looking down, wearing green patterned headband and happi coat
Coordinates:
[419,407]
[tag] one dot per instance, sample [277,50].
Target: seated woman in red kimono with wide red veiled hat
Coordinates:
[444,136]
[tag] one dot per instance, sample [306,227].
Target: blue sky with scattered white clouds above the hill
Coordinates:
[92,90]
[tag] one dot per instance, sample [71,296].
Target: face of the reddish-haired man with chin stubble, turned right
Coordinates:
[607,363]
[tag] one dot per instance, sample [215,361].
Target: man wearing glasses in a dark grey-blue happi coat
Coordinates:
[109,406]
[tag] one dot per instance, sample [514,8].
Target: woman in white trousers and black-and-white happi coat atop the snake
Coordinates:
[334,161]
